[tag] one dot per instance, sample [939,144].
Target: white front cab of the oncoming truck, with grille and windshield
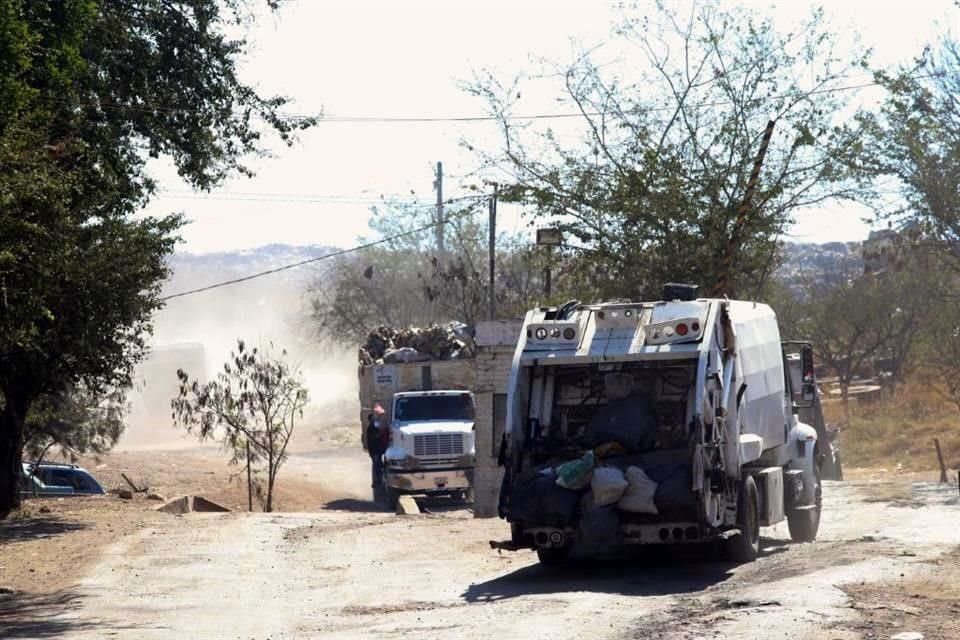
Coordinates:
[432,450]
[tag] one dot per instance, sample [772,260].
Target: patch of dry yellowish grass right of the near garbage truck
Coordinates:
[897,430]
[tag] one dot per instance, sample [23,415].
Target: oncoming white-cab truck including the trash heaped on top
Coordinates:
[422,394]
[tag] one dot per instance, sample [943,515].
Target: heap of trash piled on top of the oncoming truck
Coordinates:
[451,341]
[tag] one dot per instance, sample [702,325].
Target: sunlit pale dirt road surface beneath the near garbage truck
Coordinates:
[350,572]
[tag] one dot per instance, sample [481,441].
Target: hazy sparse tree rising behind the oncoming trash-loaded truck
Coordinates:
[406,282]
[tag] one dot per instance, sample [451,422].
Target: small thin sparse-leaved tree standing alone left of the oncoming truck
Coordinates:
[254,401]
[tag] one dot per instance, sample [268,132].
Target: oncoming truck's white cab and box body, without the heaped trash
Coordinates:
[429,410]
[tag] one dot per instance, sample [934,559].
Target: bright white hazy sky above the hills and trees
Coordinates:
[407,59]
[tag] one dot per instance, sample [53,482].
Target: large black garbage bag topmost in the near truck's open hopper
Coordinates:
[630,421]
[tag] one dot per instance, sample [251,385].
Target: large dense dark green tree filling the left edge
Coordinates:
[89,91]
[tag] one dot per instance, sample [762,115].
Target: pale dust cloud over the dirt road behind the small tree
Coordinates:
[197,333]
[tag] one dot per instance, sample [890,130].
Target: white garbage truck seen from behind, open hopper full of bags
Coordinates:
[651,423]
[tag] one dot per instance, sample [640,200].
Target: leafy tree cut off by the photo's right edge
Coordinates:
[917,138]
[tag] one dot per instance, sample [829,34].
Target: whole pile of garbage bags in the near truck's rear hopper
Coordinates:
[616,475]
